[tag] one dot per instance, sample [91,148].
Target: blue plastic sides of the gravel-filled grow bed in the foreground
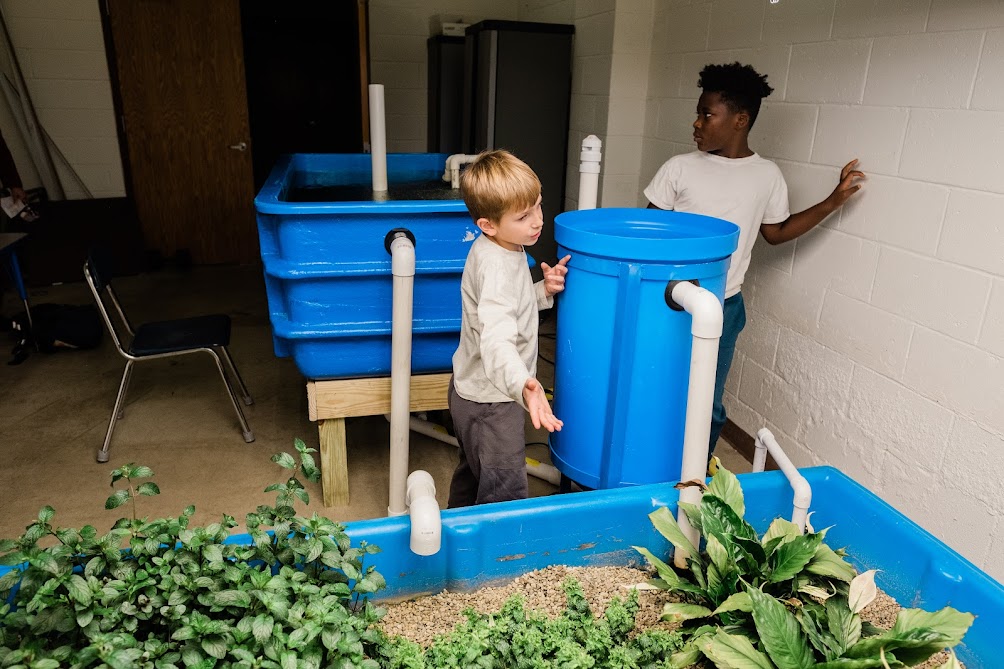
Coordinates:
[494,543]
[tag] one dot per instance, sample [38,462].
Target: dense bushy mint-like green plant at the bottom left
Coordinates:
[297,597]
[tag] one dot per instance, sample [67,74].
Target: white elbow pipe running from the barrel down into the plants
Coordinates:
[706,328]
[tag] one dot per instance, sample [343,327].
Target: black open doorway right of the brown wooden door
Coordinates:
[303,65]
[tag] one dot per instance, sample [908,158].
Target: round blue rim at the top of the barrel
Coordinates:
[646,236]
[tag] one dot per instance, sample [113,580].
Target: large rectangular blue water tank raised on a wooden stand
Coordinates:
[328,274]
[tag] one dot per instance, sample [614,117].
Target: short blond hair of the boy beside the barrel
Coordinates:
[497,184]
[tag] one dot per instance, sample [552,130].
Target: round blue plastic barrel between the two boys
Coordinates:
[622,355]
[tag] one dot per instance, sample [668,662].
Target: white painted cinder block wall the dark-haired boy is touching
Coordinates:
[875,343]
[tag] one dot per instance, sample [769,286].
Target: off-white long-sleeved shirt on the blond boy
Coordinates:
[498,332]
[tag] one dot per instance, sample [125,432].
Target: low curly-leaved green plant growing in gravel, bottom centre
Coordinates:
[516,637]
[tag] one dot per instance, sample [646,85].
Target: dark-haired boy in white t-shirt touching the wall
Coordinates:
[727,180]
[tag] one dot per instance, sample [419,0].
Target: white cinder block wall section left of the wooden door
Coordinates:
[62,51]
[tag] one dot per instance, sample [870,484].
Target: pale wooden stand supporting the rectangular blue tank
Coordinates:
[332,402]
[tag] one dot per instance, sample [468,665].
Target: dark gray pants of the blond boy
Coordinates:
[492,453]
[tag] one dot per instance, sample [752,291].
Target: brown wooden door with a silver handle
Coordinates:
[184,106]
